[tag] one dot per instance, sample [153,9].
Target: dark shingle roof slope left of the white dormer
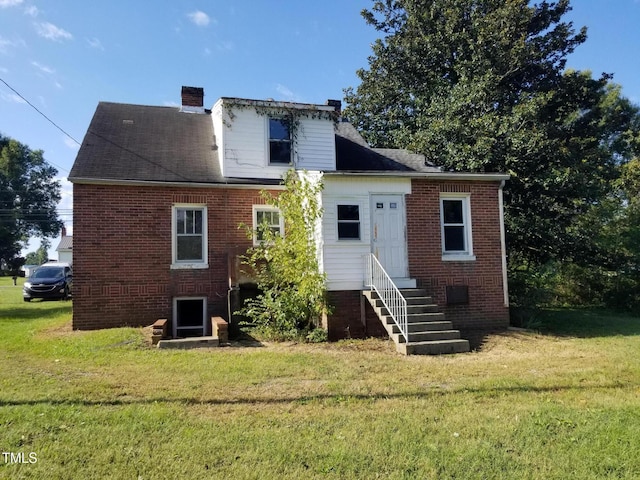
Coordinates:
[144,143]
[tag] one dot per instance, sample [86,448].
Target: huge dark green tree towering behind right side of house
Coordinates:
[480,85]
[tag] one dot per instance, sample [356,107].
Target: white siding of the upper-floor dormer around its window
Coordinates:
[244,145]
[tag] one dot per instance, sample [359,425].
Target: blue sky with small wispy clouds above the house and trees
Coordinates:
[66,56]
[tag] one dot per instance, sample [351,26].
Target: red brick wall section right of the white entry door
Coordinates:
[486,310]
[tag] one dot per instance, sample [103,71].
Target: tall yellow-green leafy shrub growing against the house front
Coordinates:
[292,295]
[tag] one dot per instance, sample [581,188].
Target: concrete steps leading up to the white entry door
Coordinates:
[429,332]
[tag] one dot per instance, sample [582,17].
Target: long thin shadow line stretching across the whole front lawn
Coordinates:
[333,398]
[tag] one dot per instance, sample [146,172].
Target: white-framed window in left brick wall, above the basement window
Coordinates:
[189,236]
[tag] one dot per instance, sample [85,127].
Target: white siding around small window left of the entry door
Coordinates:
[343,260]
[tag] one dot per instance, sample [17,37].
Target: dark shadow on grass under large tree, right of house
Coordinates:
[585,323]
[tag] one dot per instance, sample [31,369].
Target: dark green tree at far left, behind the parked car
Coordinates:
[29,194]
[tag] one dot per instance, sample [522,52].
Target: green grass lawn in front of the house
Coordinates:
[562,403]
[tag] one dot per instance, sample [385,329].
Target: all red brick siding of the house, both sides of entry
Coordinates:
[122,257]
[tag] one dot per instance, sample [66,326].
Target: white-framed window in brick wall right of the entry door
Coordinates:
[455,222]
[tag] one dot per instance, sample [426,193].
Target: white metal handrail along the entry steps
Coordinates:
[377,279]
